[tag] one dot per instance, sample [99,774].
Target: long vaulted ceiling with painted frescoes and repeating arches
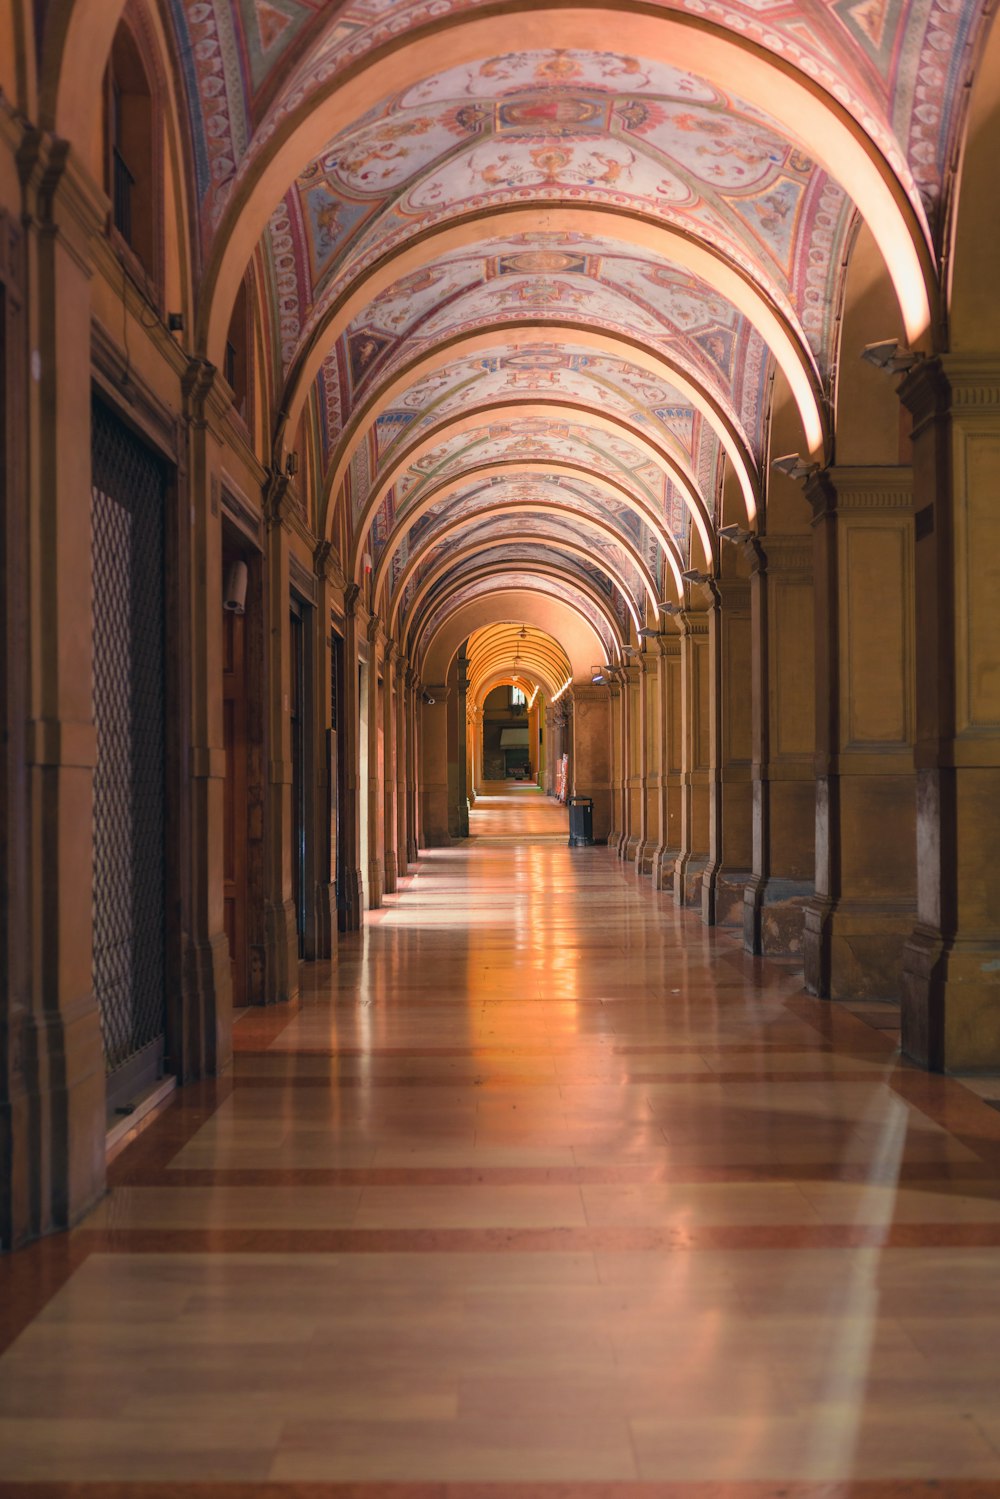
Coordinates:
[530,302]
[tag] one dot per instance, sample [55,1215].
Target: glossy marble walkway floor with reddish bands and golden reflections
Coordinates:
[543,1189]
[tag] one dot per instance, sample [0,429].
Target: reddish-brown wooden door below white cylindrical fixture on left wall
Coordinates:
[235,819]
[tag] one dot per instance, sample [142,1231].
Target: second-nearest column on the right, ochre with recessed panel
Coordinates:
[866,795]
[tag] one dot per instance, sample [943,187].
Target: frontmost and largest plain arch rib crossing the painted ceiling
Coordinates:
[800,107]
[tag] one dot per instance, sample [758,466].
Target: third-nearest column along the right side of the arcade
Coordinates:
[783,672]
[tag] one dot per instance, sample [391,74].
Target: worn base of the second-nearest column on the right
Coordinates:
[854,950]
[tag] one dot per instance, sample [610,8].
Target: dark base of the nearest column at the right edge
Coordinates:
[951,1002]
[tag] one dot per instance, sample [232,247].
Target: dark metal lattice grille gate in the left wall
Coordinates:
[130,777]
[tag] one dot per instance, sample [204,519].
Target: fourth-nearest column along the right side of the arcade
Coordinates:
[731,732]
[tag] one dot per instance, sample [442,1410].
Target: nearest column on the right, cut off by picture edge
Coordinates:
[951,962]
